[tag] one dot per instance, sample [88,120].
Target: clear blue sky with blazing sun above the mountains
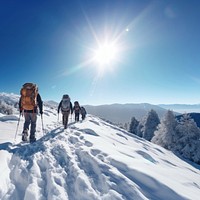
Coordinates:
[53,43]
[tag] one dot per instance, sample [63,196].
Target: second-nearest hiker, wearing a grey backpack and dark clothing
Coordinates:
[66,106]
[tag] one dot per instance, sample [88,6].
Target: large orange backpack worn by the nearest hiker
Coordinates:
[29,92]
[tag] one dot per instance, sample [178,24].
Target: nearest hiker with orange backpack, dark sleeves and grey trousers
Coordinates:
[29,102]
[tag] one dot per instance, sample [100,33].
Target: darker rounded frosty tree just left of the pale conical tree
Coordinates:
[148,125]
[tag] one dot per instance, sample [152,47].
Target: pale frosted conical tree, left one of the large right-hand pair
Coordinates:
[165,134]
